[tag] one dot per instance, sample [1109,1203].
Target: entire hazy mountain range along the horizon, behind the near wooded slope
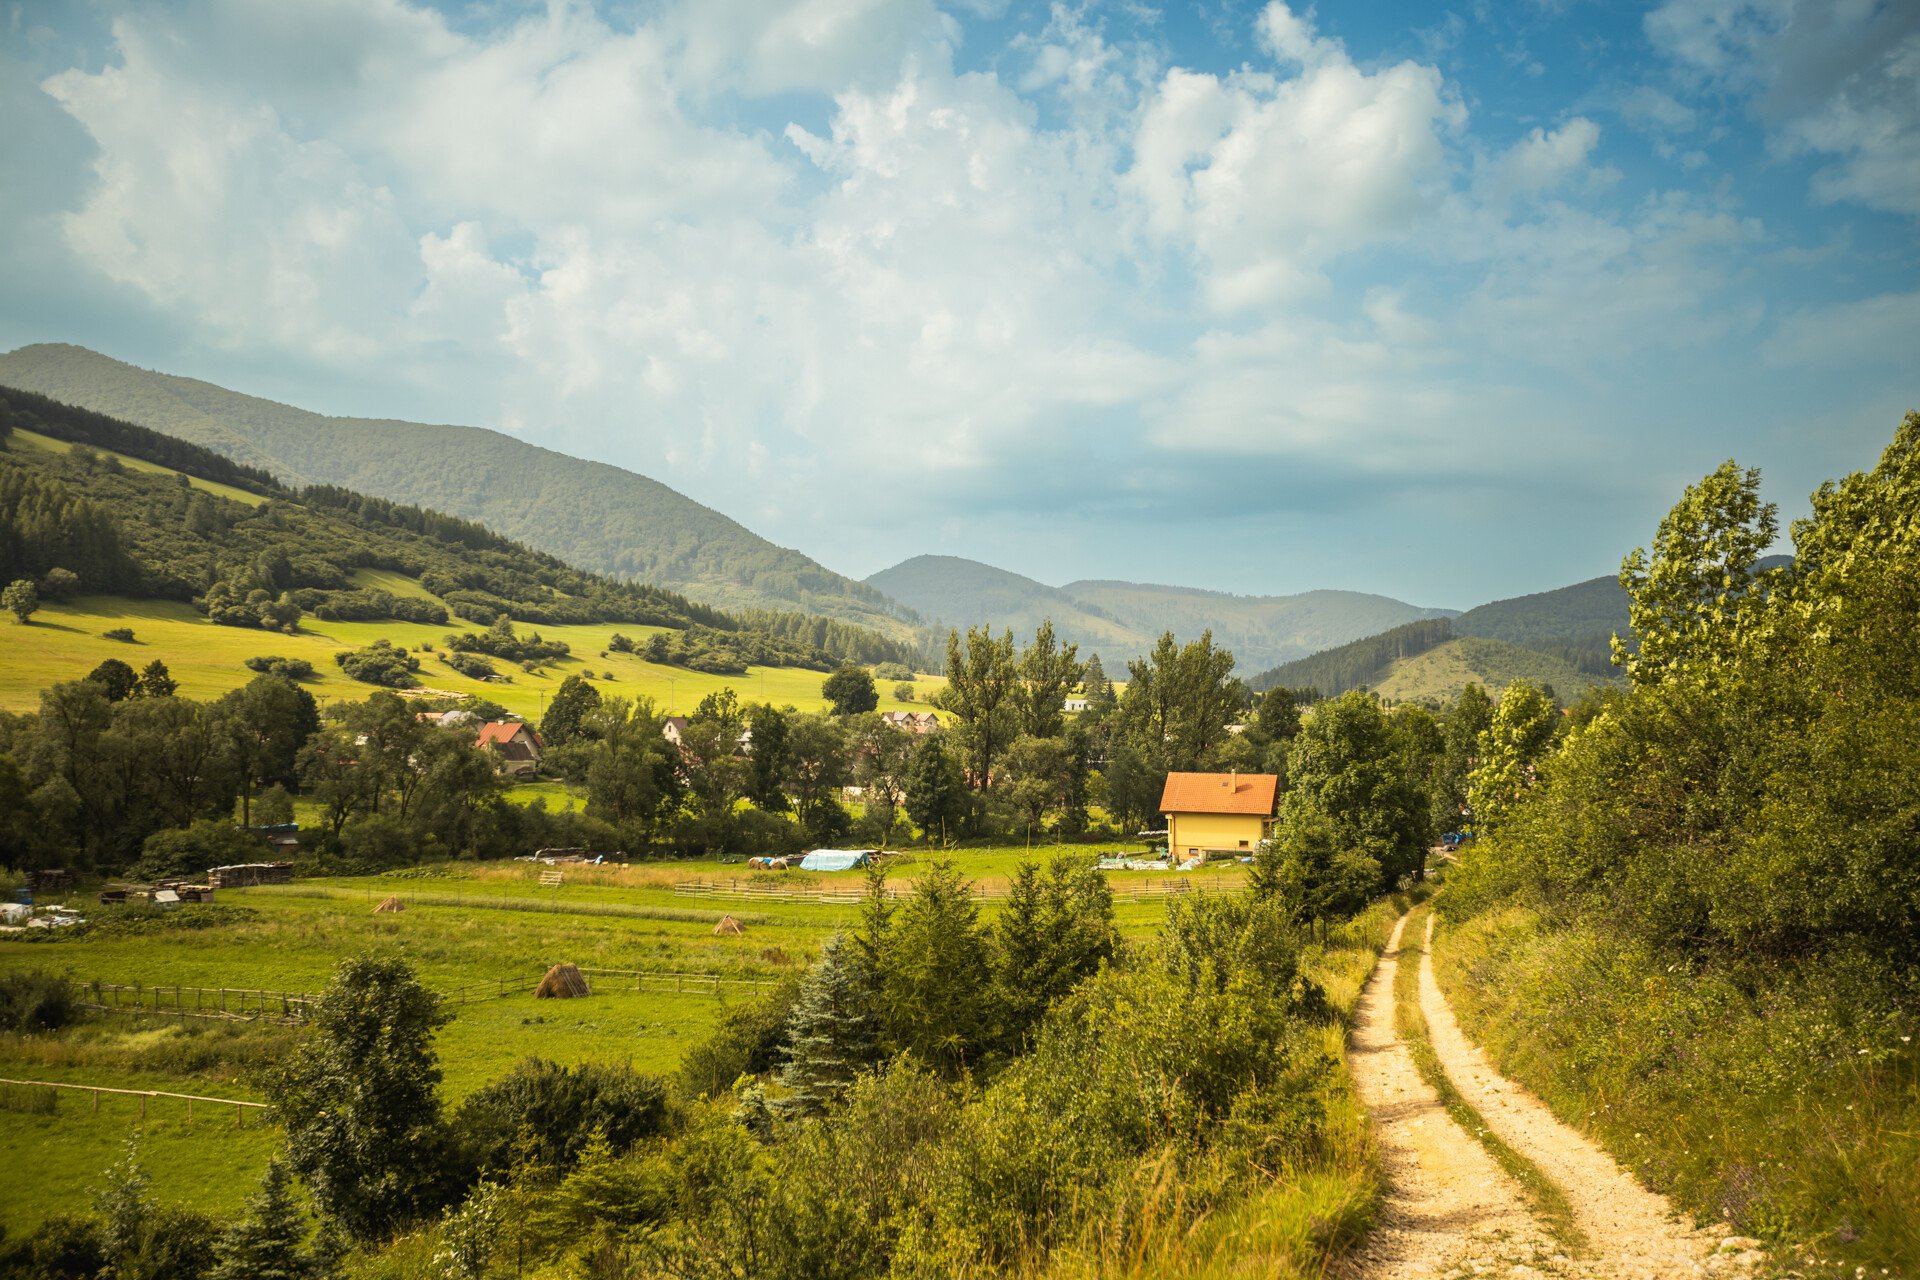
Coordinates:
[612,521]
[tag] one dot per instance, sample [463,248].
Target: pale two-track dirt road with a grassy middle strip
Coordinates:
[1452,1208]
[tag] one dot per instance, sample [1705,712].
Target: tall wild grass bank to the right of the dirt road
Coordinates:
[1781,1099]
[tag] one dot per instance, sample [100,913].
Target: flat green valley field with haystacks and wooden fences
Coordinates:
[466,926]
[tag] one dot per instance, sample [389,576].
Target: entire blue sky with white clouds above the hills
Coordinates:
[1435,300]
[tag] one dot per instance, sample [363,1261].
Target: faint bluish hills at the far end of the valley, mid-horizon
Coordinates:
[1124,619]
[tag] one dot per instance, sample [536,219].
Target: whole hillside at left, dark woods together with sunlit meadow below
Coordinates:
[262,569]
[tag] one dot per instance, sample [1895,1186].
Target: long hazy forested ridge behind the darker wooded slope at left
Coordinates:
[592,515]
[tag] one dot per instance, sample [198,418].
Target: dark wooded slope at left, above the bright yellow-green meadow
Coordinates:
[118,508]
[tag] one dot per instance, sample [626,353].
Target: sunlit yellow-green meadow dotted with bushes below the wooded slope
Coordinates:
[66,642]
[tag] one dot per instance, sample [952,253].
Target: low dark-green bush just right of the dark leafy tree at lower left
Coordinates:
[550,1112]
